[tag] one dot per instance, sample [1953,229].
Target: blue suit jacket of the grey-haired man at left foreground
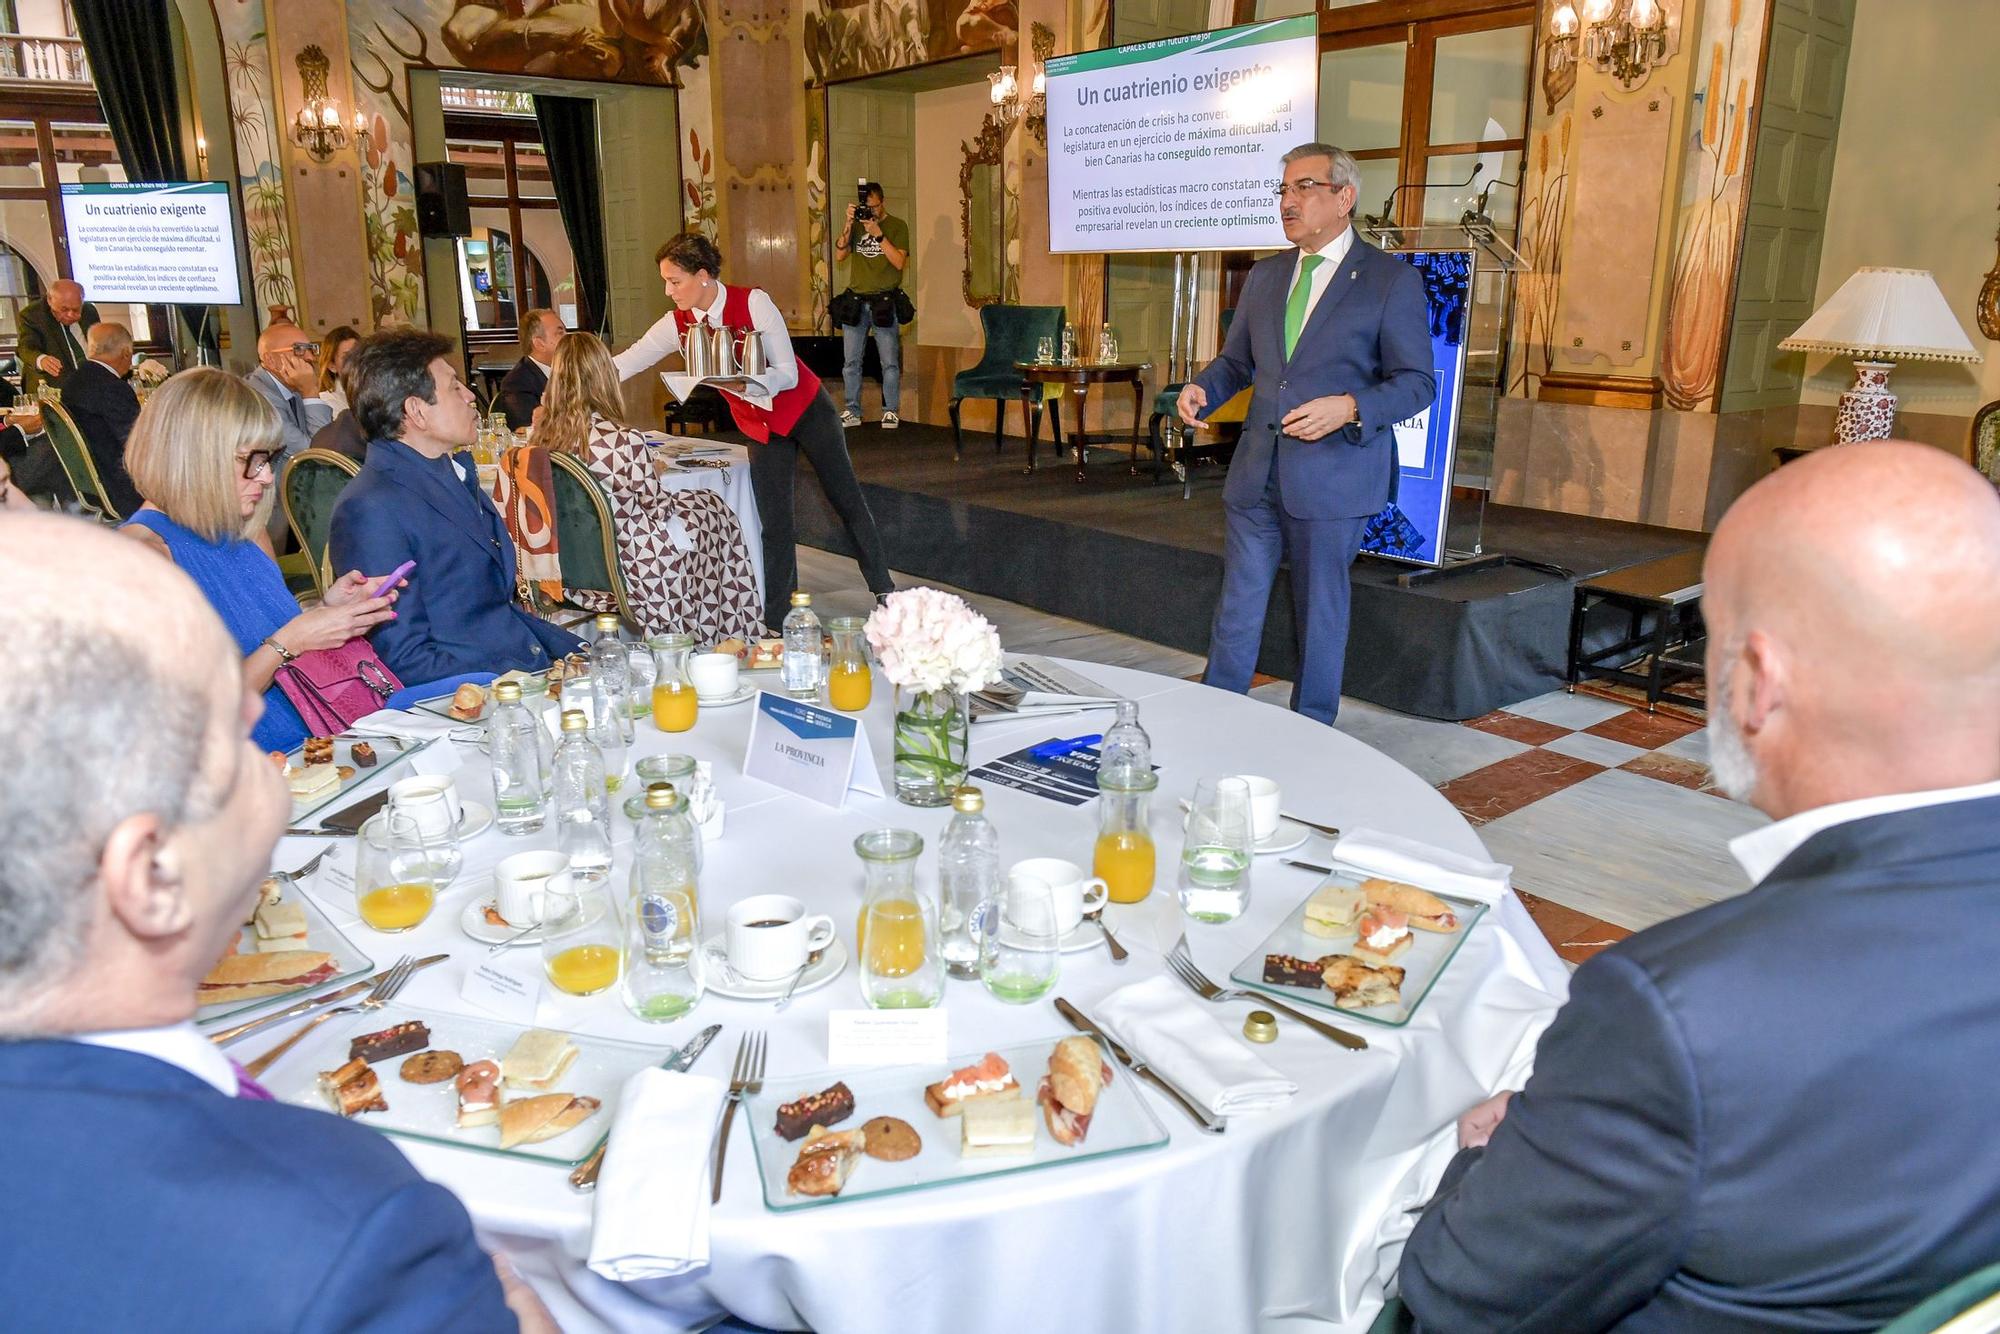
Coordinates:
[141,1199]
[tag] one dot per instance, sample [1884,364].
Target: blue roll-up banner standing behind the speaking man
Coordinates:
[1413,525]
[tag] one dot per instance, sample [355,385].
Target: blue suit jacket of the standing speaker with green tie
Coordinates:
[1369,337]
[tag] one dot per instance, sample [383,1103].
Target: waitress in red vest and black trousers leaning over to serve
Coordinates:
[785,413]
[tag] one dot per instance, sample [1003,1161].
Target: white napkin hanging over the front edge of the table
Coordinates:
[653,1195]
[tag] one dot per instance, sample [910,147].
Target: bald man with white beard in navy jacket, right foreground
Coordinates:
[1777,1113]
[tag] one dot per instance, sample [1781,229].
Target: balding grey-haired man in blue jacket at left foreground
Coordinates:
[151,1185]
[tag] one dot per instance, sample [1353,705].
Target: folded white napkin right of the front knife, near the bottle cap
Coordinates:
[1171,1031]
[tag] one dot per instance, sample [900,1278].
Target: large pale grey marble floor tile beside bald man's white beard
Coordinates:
[1625,849]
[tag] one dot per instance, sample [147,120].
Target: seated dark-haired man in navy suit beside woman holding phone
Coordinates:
[419,499]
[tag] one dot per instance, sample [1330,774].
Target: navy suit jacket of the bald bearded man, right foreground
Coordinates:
[1769,1115]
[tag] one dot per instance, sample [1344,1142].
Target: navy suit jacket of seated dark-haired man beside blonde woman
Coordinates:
[459,611]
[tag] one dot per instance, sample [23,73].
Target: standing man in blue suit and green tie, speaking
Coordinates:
[1333,339]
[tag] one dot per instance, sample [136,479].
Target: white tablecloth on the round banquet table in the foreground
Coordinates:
[1293,1219]
